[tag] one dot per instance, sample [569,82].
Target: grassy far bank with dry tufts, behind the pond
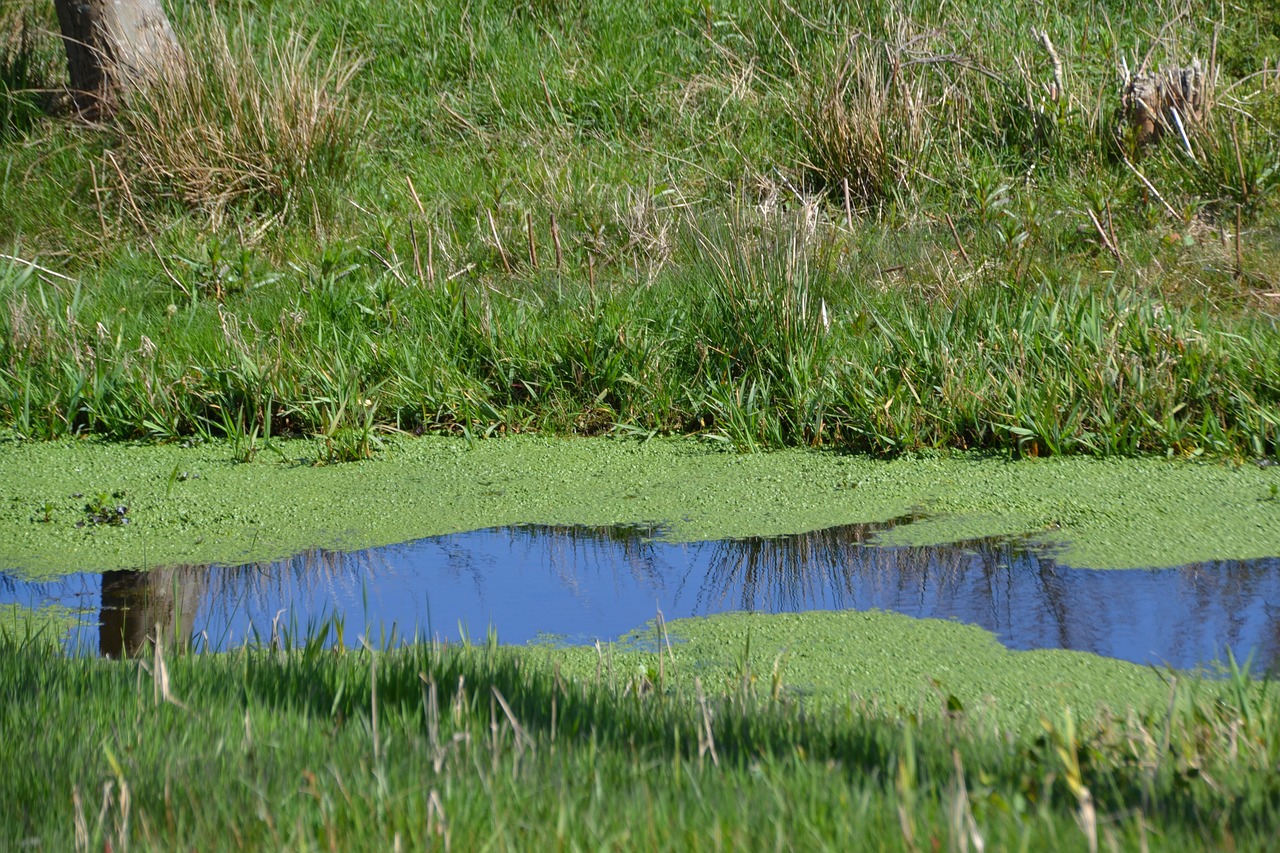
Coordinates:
[879,227]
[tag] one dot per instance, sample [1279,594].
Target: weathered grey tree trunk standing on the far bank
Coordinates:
[111,44]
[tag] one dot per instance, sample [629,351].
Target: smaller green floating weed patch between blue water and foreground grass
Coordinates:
[876,660]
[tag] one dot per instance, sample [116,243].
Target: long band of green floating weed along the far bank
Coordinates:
[194,505]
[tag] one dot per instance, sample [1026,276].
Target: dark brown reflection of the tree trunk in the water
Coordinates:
[140,605]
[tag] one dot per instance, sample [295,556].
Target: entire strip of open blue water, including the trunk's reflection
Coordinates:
[1023,595]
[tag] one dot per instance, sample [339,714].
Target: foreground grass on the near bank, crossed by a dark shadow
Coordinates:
[484,746]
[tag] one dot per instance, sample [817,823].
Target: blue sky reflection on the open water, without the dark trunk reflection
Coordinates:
[583,586]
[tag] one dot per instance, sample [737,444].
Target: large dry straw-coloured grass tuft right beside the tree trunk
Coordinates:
[236,125]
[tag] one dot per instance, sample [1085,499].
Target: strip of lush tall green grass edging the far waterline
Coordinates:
[757,337]
